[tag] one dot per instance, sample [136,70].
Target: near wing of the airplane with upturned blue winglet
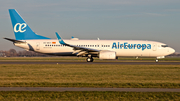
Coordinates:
[77,49]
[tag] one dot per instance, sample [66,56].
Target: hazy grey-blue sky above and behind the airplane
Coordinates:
[154,20]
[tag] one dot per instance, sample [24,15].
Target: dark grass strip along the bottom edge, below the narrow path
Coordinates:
[88,96]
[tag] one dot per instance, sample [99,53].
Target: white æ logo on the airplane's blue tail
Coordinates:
[18,27]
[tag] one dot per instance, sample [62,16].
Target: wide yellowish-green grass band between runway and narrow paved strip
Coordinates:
[90,75]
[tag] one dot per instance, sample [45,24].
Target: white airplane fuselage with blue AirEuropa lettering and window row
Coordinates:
[136,48]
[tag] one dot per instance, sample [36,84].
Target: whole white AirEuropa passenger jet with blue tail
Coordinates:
[103,49]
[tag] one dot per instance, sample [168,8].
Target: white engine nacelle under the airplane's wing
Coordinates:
[107,55]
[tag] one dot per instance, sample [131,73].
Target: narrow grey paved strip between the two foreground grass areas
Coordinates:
[63,89]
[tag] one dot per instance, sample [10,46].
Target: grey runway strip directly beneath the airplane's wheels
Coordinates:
[112,63]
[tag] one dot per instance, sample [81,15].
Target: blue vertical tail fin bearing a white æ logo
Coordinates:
[21,30]
